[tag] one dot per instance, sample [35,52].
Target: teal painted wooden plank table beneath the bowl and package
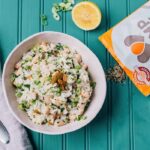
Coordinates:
[124,121]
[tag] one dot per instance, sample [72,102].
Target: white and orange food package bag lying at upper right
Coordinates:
[129,44]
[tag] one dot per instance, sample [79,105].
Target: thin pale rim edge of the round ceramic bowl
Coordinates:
[48,132]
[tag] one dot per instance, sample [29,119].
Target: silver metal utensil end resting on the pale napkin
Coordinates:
[4,135]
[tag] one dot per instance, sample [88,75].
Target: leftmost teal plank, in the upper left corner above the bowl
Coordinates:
[8,27]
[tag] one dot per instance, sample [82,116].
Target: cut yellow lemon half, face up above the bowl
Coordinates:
[86,15]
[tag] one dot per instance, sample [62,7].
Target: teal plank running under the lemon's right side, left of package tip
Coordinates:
[97,135]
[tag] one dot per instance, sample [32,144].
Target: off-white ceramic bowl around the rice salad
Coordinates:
[89,58]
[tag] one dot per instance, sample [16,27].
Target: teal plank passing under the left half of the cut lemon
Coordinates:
[74,140]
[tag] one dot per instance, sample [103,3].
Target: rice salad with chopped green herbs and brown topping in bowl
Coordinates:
[53,85]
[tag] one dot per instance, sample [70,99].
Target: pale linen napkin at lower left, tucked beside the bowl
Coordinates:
[18,136]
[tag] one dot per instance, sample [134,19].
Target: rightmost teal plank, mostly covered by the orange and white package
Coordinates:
[140,107]
